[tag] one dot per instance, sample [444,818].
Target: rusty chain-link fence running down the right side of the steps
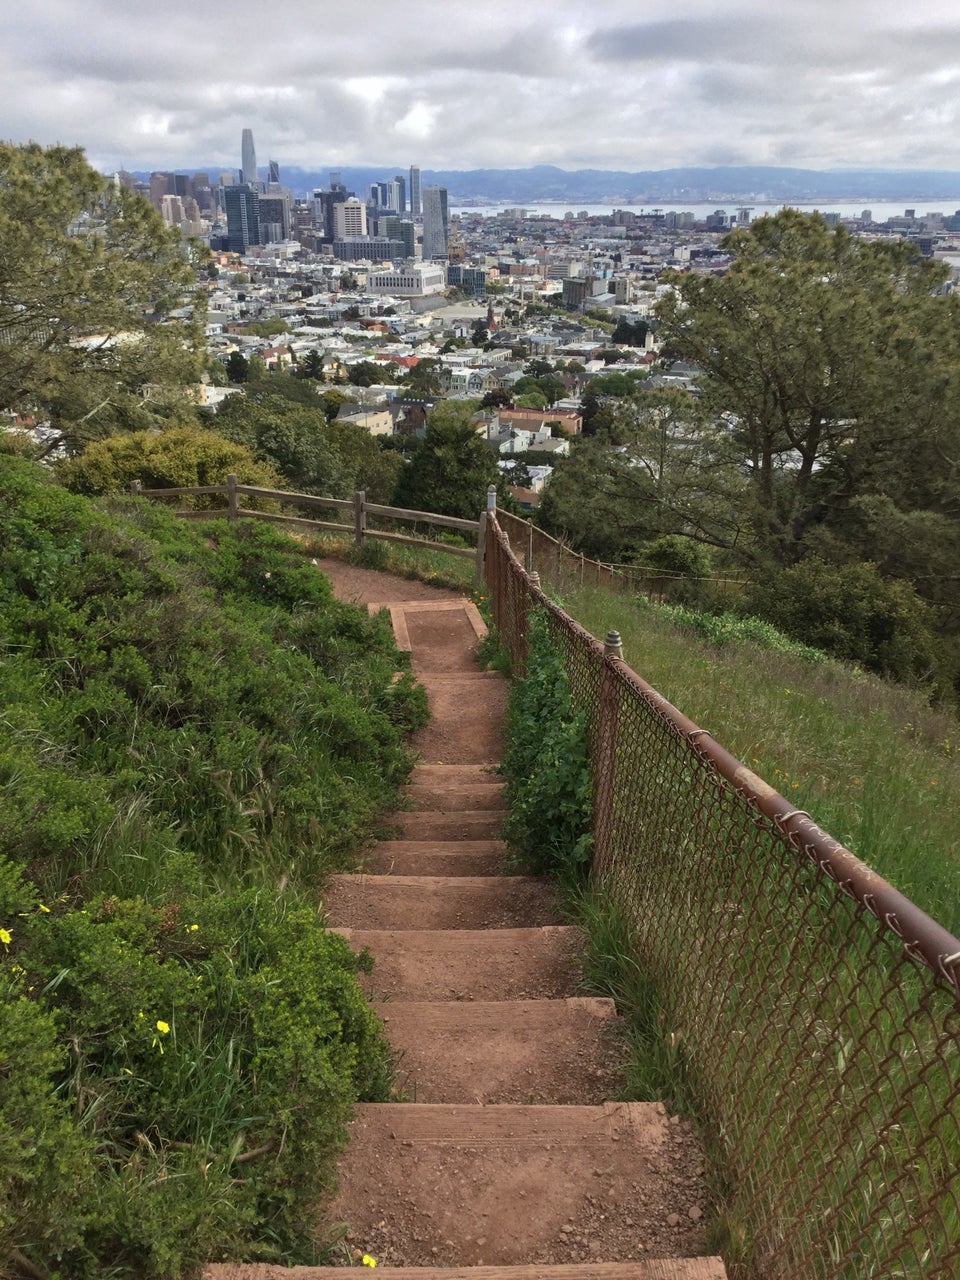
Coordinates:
[816,1009]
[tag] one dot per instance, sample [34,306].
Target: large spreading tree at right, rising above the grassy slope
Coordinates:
[829,356]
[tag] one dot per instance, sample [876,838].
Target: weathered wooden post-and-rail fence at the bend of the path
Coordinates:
[358,506]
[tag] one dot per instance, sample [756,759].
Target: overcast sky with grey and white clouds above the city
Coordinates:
[497,84]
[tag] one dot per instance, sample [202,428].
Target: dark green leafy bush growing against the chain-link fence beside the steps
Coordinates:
[548,788]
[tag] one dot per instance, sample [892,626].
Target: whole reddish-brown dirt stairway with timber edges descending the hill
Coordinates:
[505,1156]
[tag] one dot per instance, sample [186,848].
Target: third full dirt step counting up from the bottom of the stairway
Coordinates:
[472,964]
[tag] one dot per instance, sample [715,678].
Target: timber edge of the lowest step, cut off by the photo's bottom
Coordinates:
[655,1269]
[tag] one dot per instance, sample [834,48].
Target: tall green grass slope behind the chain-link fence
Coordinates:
[870,761]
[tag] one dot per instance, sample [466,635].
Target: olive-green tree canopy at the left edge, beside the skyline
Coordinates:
[89,281]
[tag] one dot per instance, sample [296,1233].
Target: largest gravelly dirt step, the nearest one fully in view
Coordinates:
[473,1186]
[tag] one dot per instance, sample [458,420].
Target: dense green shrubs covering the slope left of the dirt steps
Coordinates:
[193,732]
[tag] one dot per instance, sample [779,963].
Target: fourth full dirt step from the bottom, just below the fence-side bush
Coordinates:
[440,902]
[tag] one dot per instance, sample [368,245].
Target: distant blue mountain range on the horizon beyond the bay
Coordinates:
[546,184]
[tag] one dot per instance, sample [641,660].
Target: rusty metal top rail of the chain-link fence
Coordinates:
[924,938]
